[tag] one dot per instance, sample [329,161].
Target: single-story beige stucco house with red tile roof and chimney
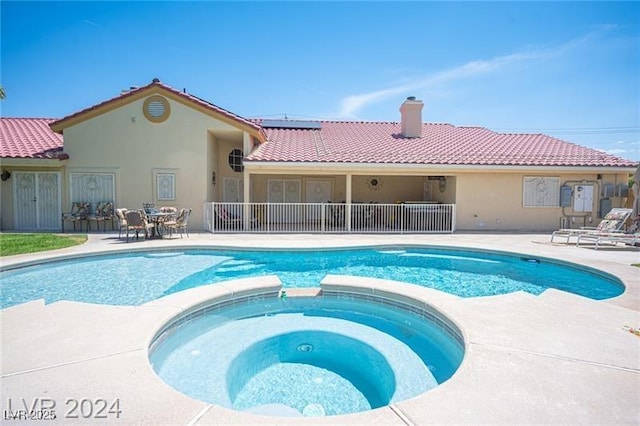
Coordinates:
[158,144]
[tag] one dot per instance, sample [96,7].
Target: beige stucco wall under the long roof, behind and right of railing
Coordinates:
[484,200]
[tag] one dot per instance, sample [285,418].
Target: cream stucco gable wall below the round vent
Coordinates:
[124,142]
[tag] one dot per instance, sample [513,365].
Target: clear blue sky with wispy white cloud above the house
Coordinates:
[568,69]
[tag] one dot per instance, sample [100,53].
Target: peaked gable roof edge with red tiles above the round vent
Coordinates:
[156,83]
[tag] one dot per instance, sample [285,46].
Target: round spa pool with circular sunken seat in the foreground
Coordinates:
[306,356]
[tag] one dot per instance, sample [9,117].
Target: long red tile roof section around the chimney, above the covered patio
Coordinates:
[440,144]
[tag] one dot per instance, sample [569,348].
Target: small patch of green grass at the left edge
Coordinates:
[11,244]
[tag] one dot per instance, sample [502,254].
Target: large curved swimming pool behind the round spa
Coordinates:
[135,278]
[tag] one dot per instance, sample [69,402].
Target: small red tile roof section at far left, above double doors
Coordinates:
[28,138]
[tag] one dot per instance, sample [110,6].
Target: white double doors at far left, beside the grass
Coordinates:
[37,201]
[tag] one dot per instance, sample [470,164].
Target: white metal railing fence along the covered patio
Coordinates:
[329,217]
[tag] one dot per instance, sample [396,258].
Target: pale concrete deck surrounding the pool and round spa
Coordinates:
[553,358]
